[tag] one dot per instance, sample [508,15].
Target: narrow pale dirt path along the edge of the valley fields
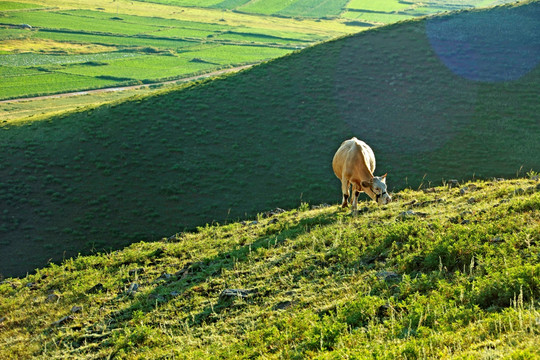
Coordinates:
[121,88]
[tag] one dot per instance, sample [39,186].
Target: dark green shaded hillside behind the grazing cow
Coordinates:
[223,149]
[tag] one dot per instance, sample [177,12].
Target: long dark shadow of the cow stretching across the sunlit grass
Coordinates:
[188,280]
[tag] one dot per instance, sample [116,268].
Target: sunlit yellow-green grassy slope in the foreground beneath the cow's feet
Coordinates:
[448,272]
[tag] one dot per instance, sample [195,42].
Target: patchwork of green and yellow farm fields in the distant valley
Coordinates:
[77,45]
